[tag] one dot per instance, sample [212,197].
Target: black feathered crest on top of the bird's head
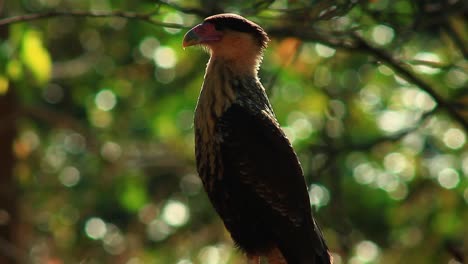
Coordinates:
[239,23]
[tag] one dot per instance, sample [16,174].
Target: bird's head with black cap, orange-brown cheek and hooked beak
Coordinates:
[231,38]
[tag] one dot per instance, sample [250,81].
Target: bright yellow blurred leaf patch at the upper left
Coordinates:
[35,57]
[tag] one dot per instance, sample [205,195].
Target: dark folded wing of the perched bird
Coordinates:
[259,160]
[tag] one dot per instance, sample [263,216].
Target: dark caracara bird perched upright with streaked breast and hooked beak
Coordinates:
[247,165]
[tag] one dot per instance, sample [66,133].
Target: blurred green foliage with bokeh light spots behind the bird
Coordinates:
[104,148]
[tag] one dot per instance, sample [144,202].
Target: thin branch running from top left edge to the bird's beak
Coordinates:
[146,17]
